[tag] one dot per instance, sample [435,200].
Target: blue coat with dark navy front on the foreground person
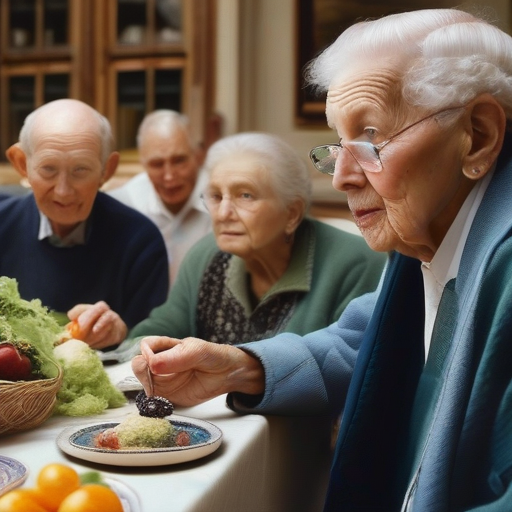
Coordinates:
[369,363]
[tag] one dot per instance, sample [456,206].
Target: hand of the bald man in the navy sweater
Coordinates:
[99,326]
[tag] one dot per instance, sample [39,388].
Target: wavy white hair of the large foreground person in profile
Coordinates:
[447,56]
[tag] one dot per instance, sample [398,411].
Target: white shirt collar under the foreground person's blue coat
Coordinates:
[446,261]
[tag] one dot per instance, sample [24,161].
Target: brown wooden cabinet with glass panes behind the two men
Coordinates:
[123,57]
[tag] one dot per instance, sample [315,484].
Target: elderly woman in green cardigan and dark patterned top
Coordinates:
[266,267]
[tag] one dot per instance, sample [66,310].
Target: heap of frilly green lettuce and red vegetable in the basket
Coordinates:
[29,333]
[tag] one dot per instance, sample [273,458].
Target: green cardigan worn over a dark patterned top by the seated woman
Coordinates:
[329,265]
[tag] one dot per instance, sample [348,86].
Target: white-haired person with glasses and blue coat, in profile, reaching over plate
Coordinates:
[422,368]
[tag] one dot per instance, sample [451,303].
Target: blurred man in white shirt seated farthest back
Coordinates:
[170,189]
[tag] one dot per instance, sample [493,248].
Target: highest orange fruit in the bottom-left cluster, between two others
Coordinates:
[54,482]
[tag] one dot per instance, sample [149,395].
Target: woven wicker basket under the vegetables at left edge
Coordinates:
[27,404]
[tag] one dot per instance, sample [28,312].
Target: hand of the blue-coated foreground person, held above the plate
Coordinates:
[191,371]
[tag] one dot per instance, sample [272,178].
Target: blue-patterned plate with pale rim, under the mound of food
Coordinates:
[205,438]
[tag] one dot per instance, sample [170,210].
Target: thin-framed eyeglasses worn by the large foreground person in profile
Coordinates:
[366,154]
